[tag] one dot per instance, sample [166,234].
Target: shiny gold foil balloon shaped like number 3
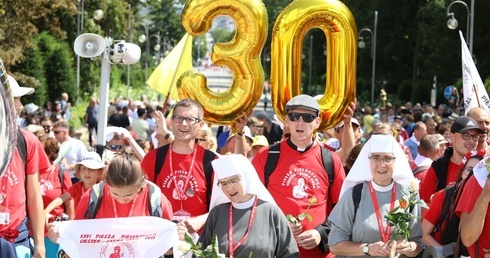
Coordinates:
[241,55]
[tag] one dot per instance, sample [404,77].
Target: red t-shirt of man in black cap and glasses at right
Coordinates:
[429,185]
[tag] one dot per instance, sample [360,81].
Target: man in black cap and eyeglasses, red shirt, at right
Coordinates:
[444,171]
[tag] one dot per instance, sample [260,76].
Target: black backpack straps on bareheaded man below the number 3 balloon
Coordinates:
[208,168]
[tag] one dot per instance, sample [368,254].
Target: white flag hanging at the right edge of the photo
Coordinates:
[474,92]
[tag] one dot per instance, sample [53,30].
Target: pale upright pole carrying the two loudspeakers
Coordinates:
[105,75]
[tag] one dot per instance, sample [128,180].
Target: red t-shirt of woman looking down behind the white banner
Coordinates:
[106,208]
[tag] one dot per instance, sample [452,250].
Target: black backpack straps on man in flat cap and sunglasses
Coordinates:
[273,157]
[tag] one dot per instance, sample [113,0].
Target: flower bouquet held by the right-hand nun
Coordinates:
[399,218]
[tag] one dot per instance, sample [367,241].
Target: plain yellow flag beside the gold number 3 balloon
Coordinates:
[164,78]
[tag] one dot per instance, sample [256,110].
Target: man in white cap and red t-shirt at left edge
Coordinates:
[20,194]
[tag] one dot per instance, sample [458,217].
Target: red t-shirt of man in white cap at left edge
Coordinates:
[13,181]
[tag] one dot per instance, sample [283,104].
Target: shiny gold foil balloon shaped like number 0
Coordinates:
[290,28]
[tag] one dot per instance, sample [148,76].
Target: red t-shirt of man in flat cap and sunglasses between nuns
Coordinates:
[298,177]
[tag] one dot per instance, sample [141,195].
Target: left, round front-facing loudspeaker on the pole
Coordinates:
[89,45]
